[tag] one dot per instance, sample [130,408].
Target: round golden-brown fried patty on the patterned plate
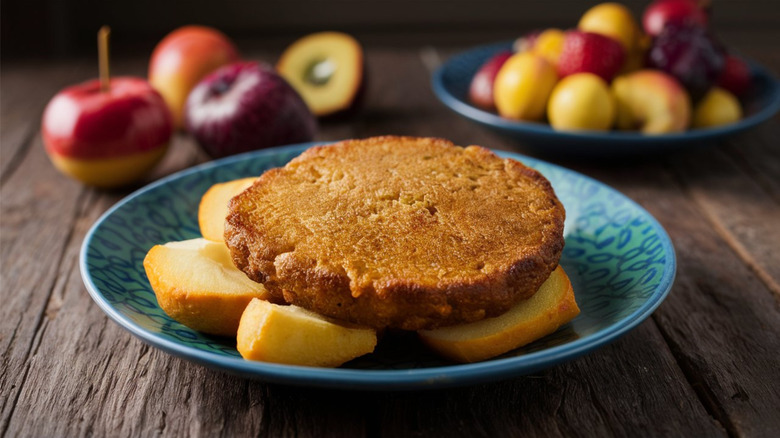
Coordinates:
[401,232]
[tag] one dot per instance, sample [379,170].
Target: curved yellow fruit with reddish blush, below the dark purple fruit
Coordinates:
[651,101]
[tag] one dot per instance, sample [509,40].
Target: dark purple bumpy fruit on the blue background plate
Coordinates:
[690,54]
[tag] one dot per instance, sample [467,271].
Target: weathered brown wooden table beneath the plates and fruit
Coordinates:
[707,363]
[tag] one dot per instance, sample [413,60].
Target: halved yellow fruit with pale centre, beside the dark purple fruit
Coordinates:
[326,68]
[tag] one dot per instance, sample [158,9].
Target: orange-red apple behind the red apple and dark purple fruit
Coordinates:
[183,58]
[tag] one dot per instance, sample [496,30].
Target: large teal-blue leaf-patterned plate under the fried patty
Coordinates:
[620,260]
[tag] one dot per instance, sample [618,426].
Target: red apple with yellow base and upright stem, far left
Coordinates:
[107,138]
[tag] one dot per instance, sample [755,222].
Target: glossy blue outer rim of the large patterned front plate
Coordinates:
[422,378]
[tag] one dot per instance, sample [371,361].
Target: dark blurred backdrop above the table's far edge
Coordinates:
[64,28]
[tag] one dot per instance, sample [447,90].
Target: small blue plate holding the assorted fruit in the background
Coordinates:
[452,80]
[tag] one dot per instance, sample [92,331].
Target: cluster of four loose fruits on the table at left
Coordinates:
[110,132]
